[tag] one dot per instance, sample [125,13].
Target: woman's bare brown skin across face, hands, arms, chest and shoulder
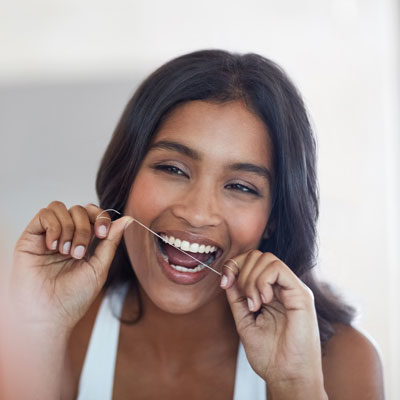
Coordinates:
[204,196]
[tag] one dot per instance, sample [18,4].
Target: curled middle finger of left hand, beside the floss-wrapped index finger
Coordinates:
[83,231]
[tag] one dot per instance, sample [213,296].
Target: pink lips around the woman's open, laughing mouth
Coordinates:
[179,277]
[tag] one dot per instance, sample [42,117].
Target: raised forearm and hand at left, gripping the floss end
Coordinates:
[51,287]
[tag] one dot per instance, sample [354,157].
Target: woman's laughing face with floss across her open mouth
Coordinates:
[205,187]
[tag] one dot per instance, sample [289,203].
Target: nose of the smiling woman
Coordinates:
[199,207]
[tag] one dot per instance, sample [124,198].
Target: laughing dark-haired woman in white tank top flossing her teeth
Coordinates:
[214,153]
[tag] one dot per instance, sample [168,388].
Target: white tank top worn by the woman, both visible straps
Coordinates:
[97,377]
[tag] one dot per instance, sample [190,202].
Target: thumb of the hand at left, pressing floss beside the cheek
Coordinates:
[105,251]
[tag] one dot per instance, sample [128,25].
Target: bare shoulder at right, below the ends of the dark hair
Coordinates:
[352,366]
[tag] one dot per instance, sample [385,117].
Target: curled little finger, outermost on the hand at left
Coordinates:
[46,222]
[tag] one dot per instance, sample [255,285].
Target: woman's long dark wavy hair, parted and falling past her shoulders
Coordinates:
[219,76]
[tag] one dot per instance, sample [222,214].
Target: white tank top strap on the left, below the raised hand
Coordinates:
[97,377]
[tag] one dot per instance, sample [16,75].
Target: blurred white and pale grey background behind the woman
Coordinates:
[67,68]
